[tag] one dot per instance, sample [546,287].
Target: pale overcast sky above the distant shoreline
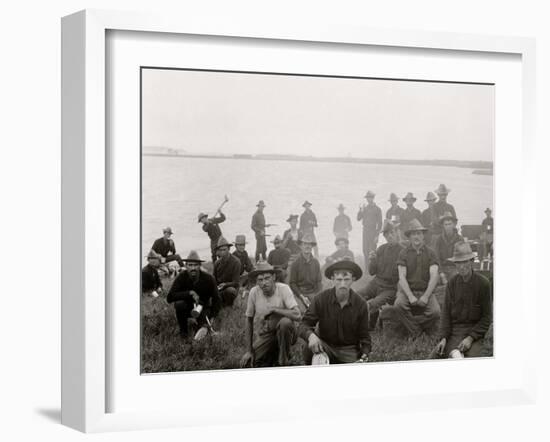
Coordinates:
[250,113]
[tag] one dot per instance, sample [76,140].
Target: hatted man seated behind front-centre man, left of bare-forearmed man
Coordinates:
[381,290]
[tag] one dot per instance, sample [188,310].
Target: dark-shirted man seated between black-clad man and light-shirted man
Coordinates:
[227,271]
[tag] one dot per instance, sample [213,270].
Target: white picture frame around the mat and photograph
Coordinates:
[86,203]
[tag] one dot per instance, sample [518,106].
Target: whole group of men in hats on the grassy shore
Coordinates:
[286,299]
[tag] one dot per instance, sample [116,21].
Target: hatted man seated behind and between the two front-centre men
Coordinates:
[305,272]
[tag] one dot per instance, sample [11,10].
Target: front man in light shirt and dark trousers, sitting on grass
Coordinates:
[272,307]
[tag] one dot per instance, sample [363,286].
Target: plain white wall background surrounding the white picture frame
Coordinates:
[30,213]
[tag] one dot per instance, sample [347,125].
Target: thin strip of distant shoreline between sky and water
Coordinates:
[449,163]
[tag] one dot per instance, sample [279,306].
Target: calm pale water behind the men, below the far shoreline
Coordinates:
[175,190]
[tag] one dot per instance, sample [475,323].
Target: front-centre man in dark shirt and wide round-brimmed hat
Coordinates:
[336,324]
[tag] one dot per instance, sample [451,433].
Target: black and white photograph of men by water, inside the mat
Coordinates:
[295,220]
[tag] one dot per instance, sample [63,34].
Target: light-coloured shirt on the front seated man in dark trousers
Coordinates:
[259,305]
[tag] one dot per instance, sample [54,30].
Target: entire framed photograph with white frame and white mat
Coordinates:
[241,202]
